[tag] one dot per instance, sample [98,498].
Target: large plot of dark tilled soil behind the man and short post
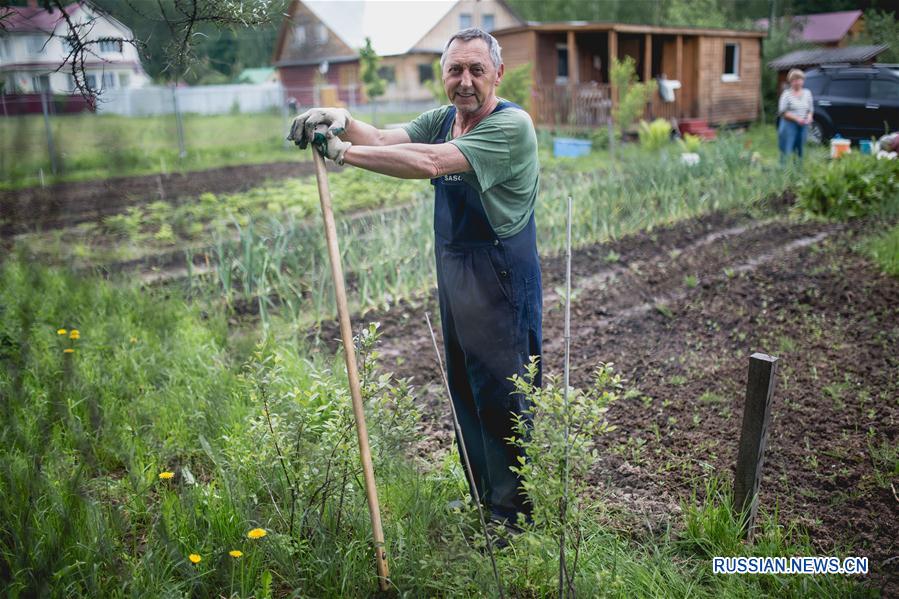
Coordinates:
[679,311]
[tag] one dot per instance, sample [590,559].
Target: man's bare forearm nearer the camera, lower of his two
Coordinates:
[406,161]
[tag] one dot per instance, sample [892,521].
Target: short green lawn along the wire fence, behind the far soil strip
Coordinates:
[90,146]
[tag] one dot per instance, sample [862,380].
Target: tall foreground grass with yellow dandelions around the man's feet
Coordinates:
[258,436]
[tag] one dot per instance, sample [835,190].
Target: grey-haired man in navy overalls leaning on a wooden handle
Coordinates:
[480,153]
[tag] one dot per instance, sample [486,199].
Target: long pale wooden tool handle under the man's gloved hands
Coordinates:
[346,334]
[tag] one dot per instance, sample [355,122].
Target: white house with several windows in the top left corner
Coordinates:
[33,45]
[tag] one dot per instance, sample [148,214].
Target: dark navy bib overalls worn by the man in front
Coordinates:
[491,309]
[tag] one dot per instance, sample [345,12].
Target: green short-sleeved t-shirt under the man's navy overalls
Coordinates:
[502,152]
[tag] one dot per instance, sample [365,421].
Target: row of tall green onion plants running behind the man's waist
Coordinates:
[388,255]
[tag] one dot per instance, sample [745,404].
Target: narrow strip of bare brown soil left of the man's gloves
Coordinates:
[67,204]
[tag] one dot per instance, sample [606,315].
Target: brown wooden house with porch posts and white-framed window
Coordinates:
[719,70]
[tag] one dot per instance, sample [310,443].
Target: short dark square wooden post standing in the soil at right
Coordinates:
[751,455]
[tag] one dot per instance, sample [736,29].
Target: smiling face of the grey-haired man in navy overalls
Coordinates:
[469,77]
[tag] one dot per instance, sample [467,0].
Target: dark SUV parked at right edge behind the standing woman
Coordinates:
[856,102]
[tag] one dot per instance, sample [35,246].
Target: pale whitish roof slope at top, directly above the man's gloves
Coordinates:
[394,26]
